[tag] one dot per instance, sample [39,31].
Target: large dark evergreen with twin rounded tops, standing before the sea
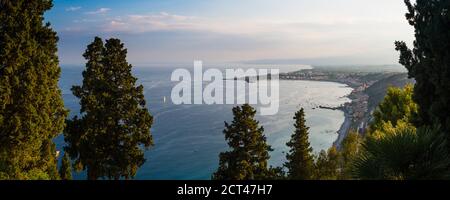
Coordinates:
[107,140]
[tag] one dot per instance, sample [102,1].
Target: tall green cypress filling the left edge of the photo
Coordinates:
[32,111]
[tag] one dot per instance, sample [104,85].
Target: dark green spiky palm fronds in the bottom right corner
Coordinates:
[404,153]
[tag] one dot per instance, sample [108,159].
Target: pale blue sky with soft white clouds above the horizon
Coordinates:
[180,31]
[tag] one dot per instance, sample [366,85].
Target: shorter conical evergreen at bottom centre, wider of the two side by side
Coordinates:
[249,154]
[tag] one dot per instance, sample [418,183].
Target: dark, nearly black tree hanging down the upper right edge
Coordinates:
[429,61]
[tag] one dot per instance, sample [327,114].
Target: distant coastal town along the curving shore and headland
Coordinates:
[358,112]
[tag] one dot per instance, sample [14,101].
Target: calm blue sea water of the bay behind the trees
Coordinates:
[189,138]
